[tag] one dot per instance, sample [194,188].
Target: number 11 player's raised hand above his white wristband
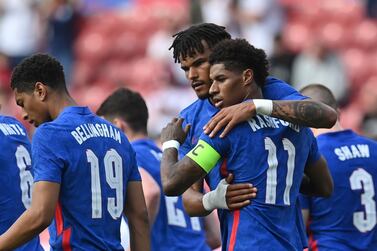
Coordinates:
[174,131]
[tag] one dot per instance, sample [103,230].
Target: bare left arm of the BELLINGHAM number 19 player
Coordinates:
[35,219]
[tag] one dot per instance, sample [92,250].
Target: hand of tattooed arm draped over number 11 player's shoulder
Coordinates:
[229,117]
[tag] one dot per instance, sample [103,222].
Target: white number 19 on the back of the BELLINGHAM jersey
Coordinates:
[114,178]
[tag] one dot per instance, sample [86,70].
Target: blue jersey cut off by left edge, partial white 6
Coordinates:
[16,178]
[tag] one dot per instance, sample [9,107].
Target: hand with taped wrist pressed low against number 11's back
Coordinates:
[239,195]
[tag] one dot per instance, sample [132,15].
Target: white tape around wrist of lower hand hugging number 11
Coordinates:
[216,198]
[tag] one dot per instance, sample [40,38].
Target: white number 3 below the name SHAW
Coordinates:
[364,221]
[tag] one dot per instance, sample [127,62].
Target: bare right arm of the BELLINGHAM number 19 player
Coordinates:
[137,215]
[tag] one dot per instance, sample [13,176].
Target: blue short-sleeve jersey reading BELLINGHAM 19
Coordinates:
[93,162]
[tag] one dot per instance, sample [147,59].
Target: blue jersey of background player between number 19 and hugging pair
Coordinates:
[173,228]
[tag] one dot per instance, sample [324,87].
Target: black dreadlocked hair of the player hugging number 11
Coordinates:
[189,42]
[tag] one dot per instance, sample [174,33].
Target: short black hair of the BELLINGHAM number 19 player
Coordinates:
[38,68]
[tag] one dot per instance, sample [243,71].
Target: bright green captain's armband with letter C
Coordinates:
[204,155]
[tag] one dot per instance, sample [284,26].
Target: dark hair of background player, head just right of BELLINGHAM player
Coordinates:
[129,106]
